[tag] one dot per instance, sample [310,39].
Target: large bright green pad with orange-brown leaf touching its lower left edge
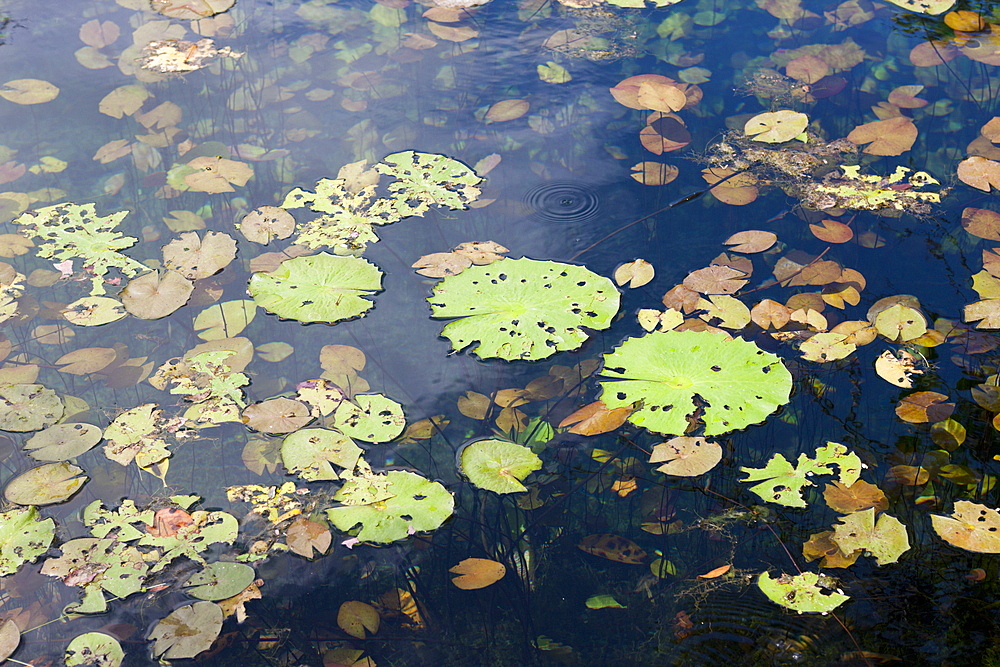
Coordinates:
[664,371]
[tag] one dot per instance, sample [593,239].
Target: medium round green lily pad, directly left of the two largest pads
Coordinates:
[318,288]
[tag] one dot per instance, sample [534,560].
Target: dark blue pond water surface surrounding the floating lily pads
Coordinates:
[320,85]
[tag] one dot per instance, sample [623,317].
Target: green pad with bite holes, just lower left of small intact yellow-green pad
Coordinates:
[415,504]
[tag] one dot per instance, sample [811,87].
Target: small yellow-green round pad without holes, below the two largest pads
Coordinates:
[497,465]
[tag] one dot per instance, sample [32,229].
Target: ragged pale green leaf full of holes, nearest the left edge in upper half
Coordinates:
[75,231]
